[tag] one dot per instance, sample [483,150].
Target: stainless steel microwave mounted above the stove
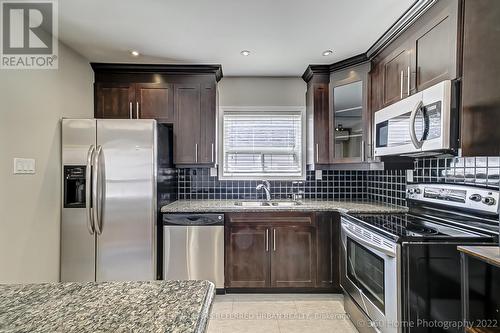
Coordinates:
[423,124]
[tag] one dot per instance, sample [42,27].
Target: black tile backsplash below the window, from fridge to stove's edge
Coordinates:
[377,186]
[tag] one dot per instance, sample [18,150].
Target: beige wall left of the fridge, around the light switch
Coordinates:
[32,104]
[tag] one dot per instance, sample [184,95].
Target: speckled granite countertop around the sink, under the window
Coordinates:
[222,206]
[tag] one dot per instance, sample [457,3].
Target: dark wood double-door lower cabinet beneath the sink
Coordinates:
[282,250]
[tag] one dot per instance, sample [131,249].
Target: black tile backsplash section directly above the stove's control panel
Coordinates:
[483,171]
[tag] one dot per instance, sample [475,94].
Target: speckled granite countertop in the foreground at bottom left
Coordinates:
[154,306]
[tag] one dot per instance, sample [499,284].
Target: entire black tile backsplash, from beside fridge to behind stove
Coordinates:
[387,186]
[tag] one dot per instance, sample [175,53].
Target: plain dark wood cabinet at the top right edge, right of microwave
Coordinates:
[481,78]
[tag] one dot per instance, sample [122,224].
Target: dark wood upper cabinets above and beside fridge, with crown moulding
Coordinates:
[184,95]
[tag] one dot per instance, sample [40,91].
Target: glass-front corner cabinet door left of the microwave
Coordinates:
[350,123]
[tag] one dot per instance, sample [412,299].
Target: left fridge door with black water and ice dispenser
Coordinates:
[77,243]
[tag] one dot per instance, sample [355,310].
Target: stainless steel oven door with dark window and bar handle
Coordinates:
[370,274]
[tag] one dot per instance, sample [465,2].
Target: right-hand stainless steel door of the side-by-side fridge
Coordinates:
[126,232]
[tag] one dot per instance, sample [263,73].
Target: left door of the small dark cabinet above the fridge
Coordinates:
[114,100]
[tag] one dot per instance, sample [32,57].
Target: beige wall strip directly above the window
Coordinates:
[262,91]
